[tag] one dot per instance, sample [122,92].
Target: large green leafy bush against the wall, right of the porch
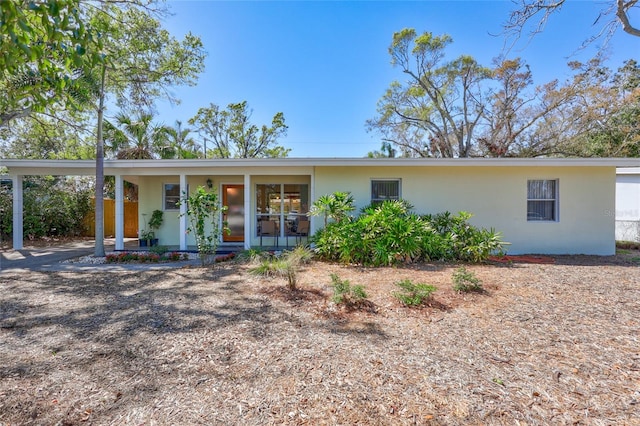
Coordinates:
[390,233]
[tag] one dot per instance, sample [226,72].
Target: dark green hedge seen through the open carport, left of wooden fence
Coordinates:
[52,207]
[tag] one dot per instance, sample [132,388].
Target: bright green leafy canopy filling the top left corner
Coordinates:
[44,45]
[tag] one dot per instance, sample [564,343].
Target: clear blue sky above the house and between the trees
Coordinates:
[325,64]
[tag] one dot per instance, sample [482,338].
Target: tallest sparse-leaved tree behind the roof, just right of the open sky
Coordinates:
[435,112]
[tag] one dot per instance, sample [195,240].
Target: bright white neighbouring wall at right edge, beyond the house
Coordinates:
[628,204]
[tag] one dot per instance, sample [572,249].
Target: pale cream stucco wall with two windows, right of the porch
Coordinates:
[497,196]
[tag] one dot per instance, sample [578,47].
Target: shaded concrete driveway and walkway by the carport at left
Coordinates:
[51,258]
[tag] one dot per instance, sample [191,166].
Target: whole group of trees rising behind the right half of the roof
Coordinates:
[459,108]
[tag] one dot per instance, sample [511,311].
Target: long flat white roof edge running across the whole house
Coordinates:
[283,165]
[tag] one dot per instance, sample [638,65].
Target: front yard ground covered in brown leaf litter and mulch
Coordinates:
[548,343]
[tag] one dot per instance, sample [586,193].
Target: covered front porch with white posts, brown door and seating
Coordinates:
[267,204]
